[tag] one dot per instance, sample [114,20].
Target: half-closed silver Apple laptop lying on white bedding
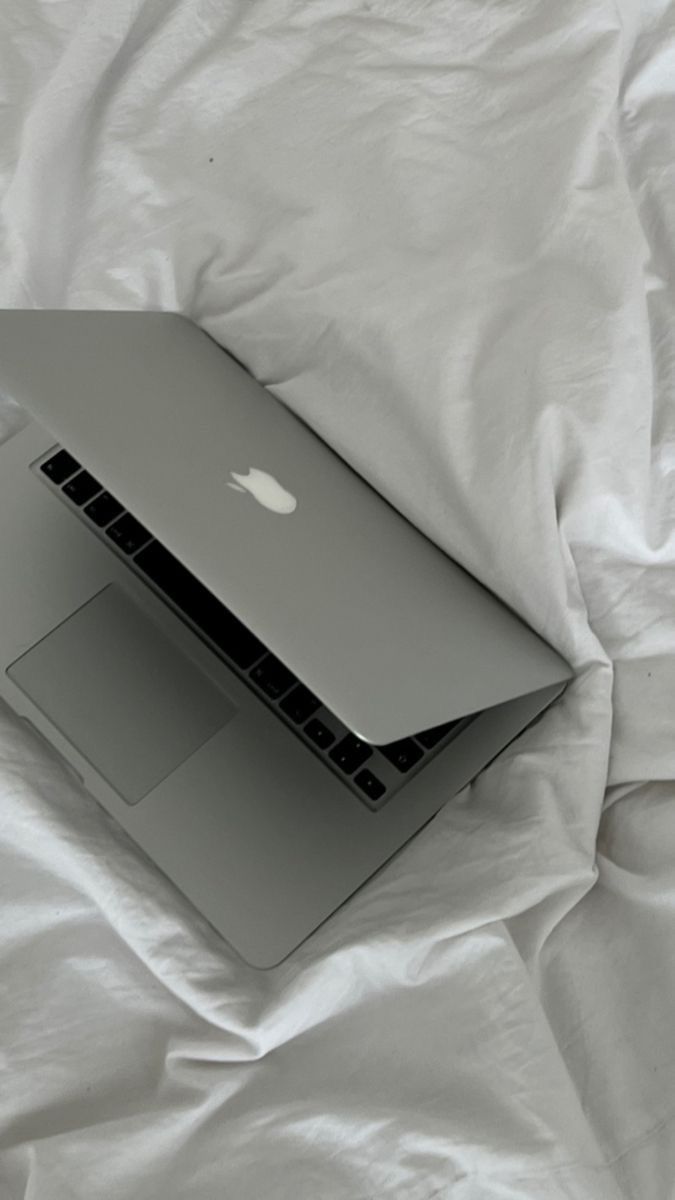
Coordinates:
[250,658]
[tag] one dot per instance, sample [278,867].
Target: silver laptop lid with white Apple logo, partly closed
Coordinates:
[368,613]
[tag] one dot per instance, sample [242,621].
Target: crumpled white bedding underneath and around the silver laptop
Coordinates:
[443,233]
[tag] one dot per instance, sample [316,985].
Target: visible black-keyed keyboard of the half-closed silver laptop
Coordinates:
[374,773]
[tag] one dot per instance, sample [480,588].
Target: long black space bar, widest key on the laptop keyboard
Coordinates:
[198,603]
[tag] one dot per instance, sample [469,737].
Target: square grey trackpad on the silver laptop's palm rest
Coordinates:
[122,693]
